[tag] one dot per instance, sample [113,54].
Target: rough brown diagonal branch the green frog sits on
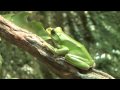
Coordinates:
[37,47]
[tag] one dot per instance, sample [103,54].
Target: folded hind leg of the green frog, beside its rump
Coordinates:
[77,61]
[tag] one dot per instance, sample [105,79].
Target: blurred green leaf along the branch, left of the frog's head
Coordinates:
[21,19]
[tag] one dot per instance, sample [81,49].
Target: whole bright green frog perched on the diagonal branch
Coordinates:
[75,53]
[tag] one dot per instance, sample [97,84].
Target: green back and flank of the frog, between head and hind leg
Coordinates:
[75,46]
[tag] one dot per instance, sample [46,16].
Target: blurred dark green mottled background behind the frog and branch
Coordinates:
[97,30]
